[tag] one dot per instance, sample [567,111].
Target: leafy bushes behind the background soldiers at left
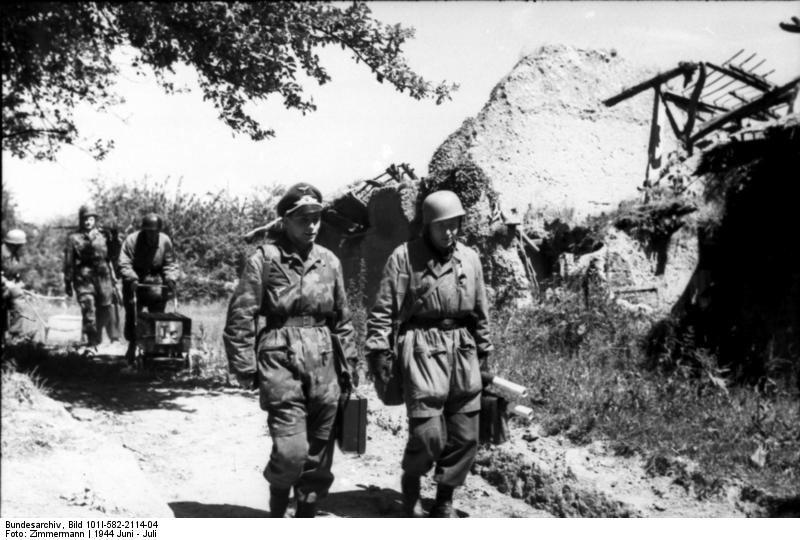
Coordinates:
[206,231]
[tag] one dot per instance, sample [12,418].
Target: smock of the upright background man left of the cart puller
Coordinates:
[86,265]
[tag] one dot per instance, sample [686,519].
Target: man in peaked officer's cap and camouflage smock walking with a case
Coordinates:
[298,287]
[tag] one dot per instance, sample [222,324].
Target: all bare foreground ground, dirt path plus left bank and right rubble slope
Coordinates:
[197,449]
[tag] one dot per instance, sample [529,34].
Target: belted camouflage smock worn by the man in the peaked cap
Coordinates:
[294,364]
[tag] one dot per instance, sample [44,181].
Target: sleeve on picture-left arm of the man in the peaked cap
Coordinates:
[240,325]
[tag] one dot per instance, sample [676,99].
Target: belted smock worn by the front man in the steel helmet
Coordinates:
[440,367]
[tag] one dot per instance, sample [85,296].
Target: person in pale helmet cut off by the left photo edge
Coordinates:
[14,266]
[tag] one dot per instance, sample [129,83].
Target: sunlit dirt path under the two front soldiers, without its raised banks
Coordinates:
[203,449]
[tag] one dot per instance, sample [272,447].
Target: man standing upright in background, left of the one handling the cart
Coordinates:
[89,273]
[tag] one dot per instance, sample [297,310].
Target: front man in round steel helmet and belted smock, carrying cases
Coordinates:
[432,289]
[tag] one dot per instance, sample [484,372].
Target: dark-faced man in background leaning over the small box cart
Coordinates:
[148,258]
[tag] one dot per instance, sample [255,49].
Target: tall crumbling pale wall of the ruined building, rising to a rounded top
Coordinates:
[544,147]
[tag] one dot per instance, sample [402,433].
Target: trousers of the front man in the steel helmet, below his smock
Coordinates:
[449,441]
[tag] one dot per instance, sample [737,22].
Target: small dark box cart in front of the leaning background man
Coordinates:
[162,340]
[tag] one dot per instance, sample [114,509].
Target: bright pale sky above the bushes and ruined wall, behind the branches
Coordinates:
[360,126]
